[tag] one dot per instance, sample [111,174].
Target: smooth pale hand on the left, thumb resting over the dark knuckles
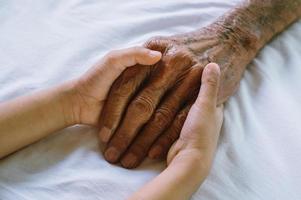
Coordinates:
[92,88]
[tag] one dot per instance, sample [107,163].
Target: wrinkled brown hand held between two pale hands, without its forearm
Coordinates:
[147,107]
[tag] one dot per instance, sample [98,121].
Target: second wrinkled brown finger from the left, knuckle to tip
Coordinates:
[145,103]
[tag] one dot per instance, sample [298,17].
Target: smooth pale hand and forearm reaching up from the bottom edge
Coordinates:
[190,158]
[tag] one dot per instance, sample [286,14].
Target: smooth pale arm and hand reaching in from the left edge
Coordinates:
[27,119]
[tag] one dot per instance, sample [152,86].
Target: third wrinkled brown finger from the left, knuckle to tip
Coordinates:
[161,119]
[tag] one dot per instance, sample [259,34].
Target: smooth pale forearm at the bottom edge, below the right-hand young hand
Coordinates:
[187,174]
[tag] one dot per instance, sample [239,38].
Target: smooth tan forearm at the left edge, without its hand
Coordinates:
[27,119]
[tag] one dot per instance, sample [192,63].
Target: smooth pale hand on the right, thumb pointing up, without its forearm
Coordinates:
[198,138]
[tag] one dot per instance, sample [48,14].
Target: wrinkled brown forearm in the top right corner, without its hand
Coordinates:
[255,22]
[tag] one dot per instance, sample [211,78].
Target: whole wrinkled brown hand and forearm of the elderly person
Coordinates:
[147,105]
